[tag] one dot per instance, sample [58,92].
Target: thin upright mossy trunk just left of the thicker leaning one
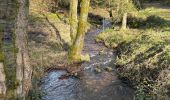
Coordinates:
[73,19]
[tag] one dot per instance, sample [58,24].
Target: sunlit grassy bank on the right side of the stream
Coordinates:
[143,53]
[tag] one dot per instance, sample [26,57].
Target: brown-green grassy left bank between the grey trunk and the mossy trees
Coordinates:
[44,48]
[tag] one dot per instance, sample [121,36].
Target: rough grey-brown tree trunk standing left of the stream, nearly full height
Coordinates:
[24,70]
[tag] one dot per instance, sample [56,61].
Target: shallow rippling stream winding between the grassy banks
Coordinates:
[93,84]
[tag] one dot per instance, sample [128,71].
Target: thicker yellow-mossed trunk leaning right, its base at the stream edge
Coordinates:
[77,47]
